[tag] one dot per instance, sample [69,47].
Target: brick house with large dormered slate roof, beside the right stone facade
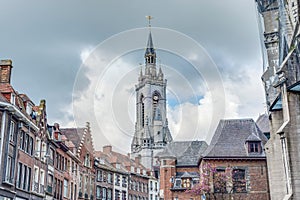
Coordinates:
[237,148]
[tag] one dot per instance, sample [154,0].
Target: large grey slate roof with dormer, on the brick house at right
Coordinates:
[230,139]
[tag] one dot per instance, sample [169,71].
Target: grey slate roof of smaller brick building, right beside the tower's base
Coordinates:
[187,153]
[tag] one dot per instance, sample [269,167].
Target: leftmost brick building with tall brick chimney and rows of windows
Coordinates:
[20,126]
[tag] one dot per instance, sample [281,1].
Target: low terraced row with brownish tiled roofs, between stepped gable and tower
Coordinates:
[130,178]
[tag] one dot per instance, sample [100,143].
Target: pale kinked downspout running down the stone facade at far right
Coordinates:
[280,131]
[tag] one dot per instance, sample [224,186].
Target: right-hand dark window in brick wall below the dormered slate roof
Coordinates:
[239,180]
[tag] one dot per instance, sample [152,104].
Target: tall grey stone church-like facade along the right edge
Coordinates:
[279,21]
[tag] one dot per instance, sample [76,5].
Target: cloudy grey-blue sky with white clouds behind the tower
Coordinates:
[84,59]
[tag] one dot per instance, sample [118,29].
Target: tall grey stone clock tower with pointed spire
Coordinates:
[151,127]
